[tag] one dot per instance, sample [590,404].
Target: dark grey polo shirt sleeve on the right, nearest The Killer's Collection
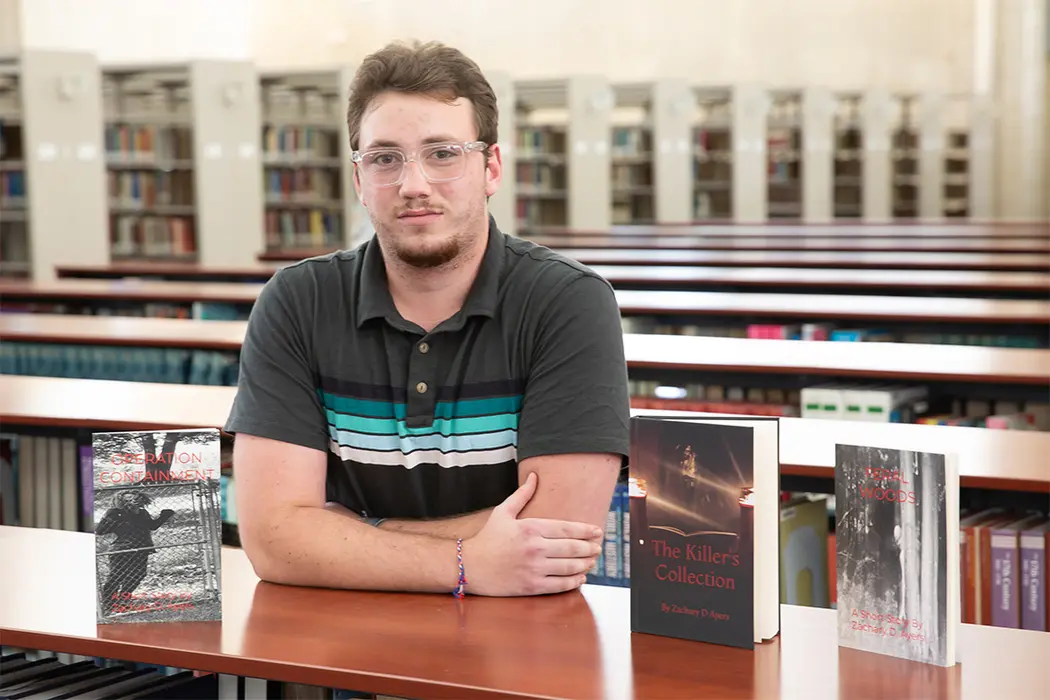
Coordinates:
[577,397]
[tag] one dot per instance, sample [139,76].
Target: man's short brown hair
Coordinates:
[426,69]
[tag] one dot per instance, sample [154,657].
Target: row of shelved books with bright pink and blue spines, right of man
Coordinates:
[832,332]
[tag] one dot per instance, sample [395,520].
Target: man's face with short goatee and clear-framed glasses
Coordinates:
[426,224]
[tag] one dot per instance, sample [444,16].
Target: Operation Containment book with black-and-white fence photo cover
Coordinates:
[158,527]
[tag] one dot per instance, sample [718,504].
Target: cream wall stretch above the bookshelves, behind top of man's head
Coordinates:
[906,45]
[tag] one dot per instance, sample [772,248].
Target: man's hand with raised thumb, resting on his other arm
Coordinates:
[531,557]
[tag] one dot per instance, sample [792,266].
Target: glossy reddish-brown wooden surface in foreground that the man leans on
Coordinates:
[577,645]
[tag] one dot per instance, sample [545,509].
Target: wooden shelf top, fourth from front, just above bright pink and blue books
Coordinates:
[632,302]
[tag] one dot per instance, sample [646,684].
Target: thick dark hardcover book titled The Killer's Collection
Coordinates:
[704,517]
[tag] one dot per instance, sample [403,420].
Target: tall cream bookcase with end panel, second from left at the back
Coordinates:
[182,175]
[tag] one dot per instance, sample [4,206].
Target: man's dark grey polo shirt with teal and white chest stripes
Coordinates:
[421,426]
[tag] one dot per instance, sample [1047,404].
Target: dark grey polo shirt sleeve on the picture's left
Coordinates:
[277,394]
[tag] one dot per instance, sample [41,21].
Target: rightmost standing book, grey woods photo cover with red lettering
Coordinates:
[897,553]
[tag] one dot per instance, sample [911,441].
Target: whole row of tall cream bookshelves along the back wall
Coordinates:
[218,161]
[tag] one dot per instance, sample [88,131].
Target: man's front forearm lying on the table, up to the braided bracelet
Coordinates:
[319,547]
